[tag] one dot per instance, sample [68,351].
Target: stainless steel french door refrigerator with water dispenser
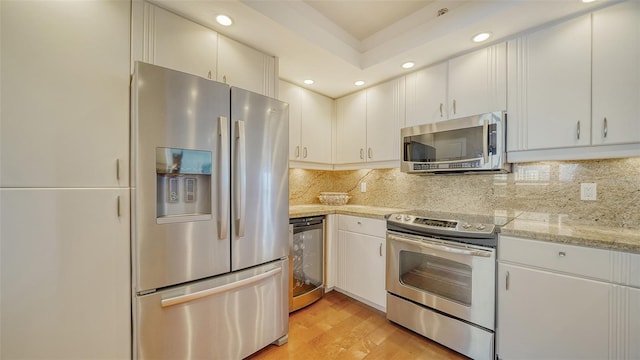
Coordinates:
[209,217]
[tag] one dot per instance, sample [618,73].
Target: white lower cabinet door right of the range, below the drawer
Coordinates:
[544,315]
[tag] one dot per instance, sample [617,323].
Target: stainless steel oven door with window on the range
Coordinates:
[450,277]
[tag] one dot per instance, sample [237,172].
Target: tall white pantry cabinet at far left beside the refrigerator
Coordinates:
[64,180]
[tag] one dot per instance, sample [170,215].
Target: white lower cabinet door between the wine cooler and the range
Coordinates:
[361,266]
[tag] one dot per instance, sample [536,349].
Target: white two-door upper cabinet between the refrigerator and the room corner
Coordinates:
[310,126]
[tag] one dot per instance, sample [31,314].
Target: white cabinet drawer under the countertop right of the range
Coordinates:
[582,261]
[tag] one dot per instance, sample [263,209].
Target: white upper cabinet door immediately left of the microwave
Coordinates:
[385,112]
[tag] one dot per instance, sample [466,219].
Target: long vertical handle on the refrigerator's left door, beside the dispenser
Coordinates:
[223,181]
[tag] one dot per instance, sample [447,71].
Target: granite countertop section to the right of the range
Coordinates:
[561,229]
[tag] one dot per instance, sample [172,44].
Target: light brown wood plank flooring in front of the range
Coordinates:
[338,327]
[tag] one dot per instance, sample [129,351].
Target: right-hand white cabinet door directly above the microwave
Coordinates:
[478,82]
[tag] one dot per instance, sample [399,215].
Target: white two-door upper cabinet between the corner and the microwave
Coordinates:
[368,125]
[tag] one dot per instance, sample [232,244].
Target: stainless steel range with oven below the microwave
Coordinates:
[440,278]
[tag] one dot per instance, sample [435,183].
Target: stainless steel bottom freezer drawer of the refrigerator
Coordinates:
[229,317]
